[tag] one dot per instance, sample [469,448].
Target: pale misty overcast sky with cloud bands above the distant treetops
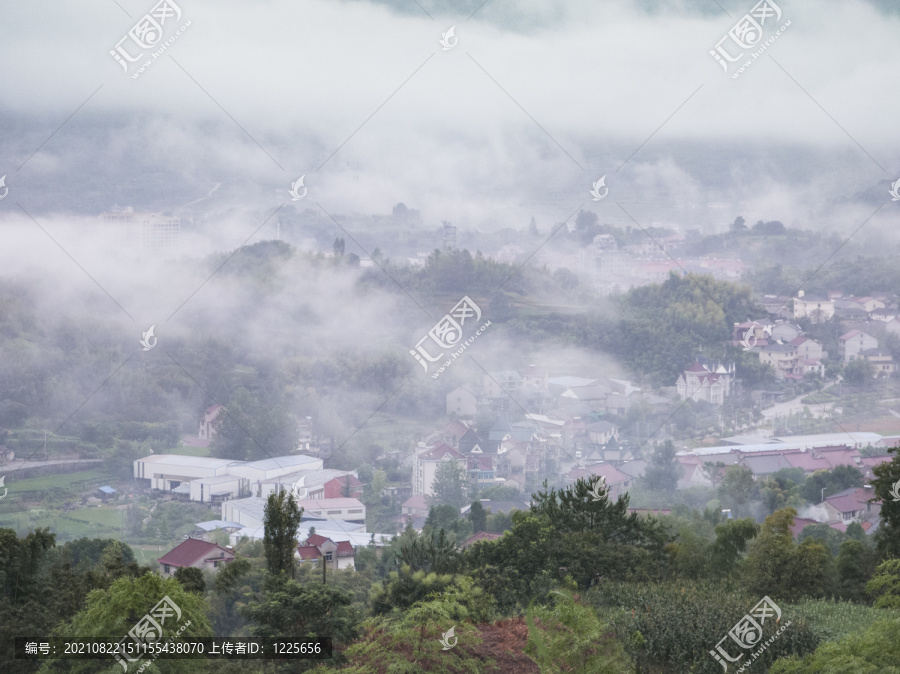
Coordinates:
[534,102]
